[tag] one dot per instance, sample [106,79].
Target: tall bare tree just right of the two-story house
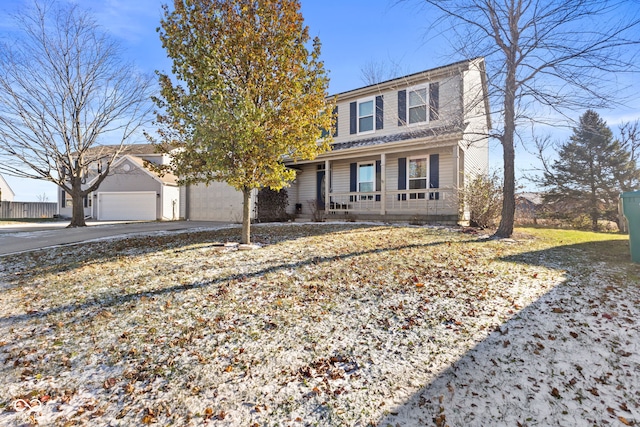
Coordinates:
[543,56]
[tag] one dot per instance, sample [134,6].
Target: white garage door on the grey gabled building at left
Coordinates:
[135,205]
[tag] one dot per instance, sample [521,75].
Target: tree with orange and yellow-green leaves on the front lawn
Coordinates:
[245,94]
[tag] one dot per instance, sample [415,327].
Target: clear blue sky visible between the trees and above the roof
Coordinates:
[352,32]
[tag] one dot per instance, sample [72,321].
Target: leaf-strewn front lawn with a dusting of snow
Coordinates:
[325,324]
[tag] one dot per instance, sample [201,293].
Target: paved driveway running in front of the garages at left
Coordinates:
[28,237]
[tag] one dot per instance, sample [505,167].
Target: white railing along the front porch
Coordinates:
[433,201]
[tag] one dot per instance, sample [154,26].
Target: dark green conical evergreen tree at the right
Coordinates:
[586,177]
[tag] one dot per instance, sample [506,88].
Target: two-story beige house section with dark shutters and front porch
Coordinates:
[402,148]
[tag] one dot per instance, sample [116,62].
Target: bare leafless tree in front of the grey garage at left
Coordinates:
[65,94]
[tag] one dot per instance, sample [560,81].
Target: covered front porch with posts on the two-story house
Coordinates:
[421,184]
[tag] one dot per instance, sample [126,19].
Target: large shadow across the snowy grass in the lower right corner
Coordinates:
[562,360]
